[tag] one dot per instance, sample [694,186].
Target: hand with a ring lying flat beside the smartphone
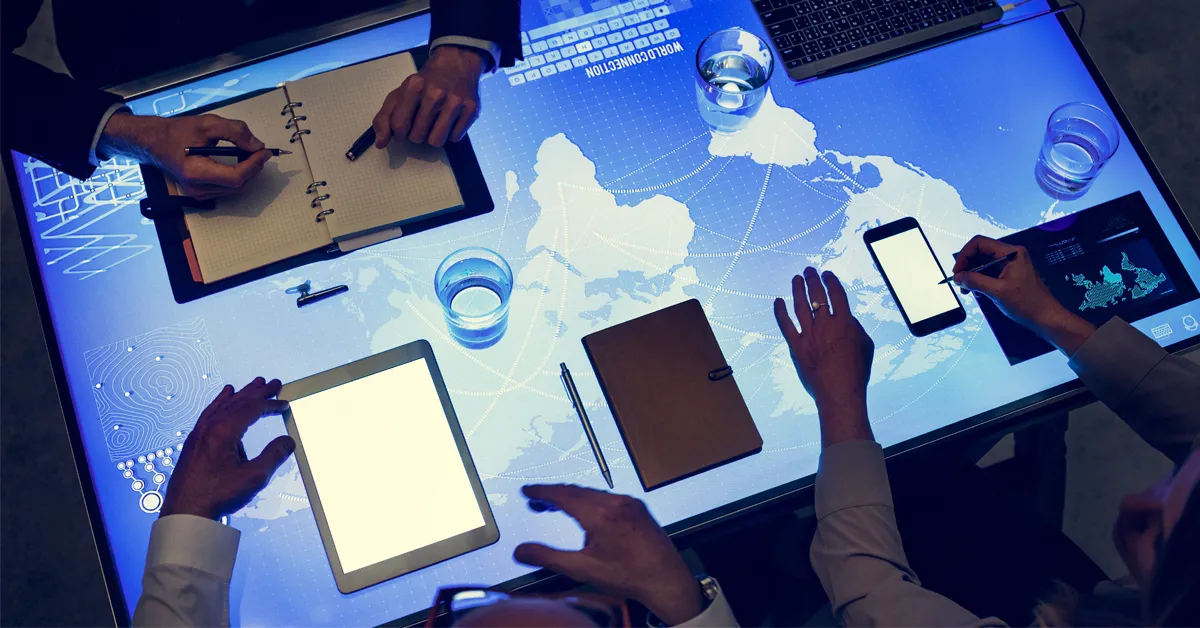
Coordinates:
[832,354]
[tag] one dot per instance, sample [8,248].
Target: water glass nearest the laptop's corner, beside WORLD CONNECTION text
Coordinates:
[733,68]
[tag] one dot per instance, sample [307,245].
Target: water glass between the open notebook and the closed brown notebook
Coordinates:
[475,286]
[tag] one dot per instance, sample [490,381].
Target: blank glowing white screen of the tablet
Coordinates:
[386,465]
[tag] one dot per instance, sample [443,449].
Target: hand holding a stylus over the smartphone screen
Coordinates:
[1021,294]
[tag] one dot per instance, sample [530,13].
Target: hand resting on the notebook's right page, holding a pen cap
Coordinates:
[439,103]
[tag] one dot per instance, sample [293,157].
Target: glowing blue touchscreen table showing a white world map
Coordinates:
[613,200]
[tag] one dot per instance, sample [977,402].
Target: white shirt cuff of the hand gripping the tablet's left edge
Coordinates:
[194,542]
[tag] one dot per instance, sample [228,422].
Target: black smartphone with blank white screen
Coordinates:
[904,258]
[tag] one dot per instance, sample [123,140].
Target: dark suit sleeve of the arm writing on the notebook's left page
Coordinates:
[46,115]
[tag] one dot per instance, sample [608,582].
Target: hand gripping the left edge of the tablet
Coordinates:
[214,479]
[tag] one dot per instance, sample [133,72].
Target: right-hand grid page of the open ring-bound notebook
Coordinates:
[383,188]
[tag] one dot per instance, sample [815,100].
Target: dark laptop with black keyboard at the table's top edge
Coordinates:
[824,38]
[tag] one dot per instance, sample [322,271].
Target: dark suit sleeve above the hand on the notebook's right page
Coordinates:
[496,21]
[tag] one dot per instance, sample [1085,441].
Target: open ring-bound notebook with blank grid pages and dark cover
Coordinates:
[314,205]
